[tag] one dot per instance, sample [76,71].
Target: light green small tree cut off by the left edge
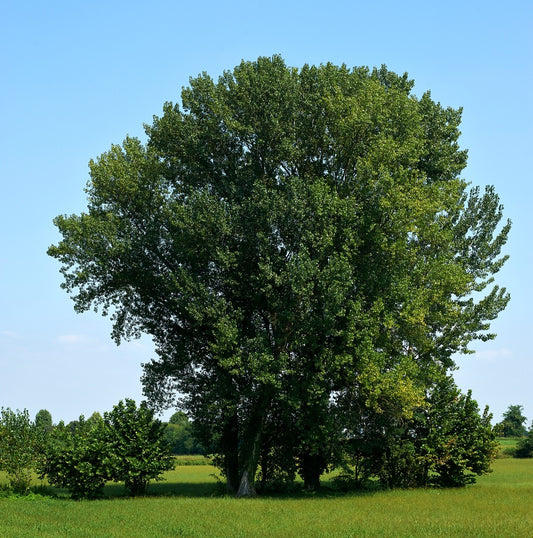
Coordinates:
[18,448]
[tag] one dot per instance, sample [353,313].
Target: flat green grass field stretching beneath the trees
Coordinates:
[189,503]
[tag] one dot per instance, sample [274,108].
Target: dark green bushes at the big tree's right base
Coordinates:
[446,442]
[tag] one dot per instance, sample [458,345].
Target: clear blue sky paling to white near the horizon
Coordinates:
[76,77]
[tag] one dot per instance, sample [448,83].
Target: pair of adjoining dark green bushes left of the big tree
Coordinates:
[126,445]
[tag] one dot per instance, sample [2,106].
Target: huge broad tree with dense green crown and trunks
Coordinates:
[301,248]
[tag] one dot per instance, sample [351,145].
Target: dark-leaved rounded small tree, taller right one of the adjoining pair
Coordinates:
[136,445]
